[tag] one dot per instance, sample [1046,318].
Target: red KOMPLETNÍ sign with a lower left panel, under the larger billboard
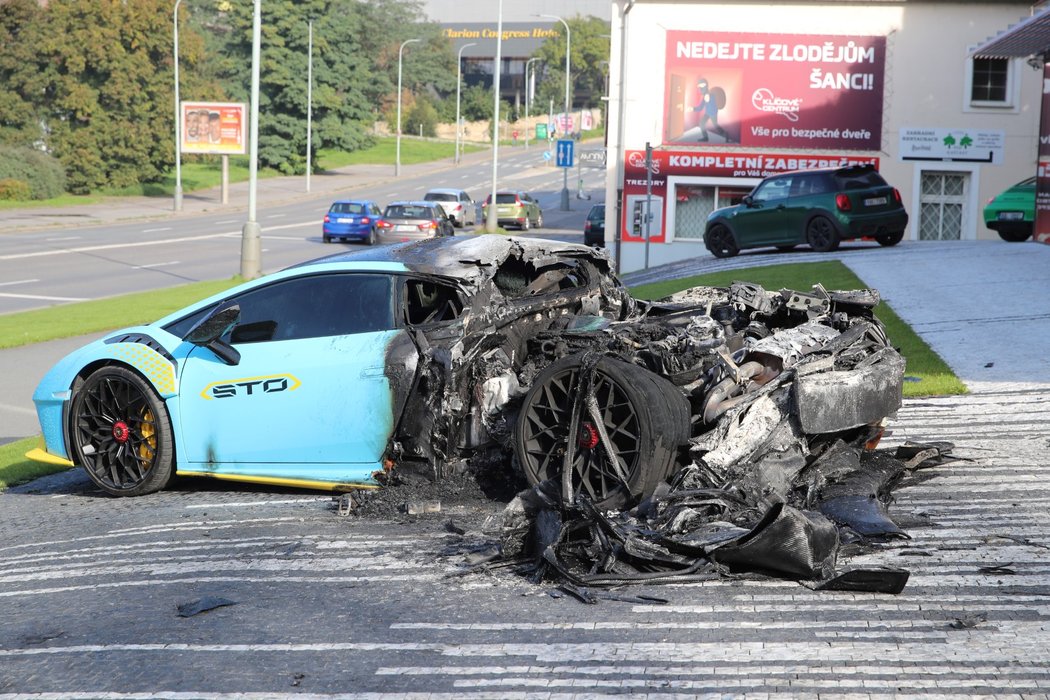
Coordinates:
[708,164]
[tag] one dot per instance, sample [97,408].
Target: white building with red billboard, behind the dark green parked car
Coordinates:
[808,84]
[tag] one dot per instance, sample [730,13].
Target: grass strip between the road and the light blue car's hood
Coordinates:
[100,315]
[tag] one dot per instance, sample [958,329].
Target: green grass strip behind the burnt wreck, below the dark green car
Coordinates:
[927,373]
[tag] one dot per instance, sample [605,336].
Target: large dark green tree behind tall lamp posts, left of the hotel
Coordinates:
[354,77]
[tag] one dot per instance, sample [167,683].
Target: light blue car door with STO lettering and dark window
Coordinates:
[310,398]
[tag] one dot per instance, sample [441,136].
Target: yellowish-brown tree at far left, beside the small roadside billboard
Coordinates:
[96,80]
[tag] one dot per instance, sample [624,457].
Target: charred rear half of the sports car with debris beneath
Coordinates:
[715,431]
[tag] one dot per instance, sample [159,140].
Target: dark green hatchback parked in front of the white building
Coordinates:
[821,208]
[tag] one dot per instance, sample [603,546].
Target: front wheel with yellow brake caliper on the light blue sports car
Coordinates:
[121,434]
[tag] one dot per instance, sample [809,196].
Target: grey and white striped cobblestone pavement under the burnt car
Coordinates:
[331,607]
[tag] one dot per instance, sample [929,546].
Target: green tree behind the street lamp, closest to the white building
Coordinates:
[589,59]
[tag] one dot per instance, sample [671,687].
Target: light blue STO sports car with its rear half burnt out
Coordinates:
[446,355]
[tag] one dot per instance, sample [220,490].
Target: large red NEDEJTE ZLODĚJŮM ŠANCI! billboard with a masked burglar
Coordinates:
[768,91]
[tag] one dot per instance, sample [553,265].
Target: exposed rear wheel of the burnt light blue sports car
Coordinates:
[646,419]
